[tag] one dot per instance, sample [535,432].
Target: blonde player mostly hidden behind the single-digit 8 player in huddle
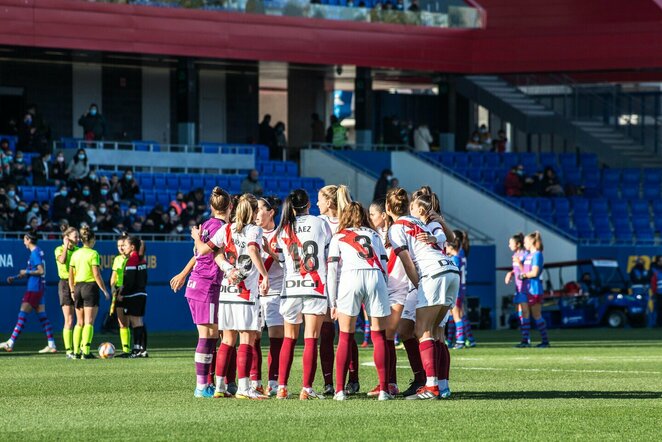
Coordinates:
[331,200]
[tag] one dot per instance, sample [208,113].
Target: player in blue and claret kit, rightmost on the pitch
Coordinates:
[533,266]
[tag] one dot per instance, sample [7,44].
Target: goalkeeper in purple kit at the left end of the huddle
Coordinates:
[202,291]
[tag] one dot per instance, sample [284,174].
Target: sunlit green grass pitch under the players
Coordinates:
[593,384]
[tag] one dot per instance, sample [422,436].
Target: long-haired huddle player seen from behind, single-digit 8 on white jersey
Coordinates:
[362,281]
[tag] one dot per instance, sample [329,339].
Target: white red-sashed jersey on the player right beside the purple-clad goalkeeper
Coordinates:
[236,253]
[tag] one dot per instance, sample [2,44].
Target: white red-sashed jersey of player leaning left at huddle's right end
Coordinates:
[429,259]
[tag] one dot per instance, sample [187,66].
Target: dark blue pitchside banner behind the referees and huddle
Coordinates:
[166,311]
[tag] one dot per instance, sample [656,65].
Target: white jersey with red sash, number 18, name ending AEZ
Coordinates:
[304,247]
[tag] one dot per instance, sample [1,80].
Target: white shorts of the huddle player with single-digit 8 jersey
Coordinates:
[363,287]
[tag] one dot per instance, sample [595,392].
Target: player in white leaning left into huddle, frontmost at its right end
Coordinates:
[434,275]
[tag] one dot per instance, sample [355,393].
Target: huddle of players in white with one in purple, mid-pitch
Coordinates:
[247,272]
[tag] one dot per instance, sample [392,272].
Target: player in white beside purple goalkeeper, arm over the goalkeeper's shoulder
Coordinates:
[237,248]
